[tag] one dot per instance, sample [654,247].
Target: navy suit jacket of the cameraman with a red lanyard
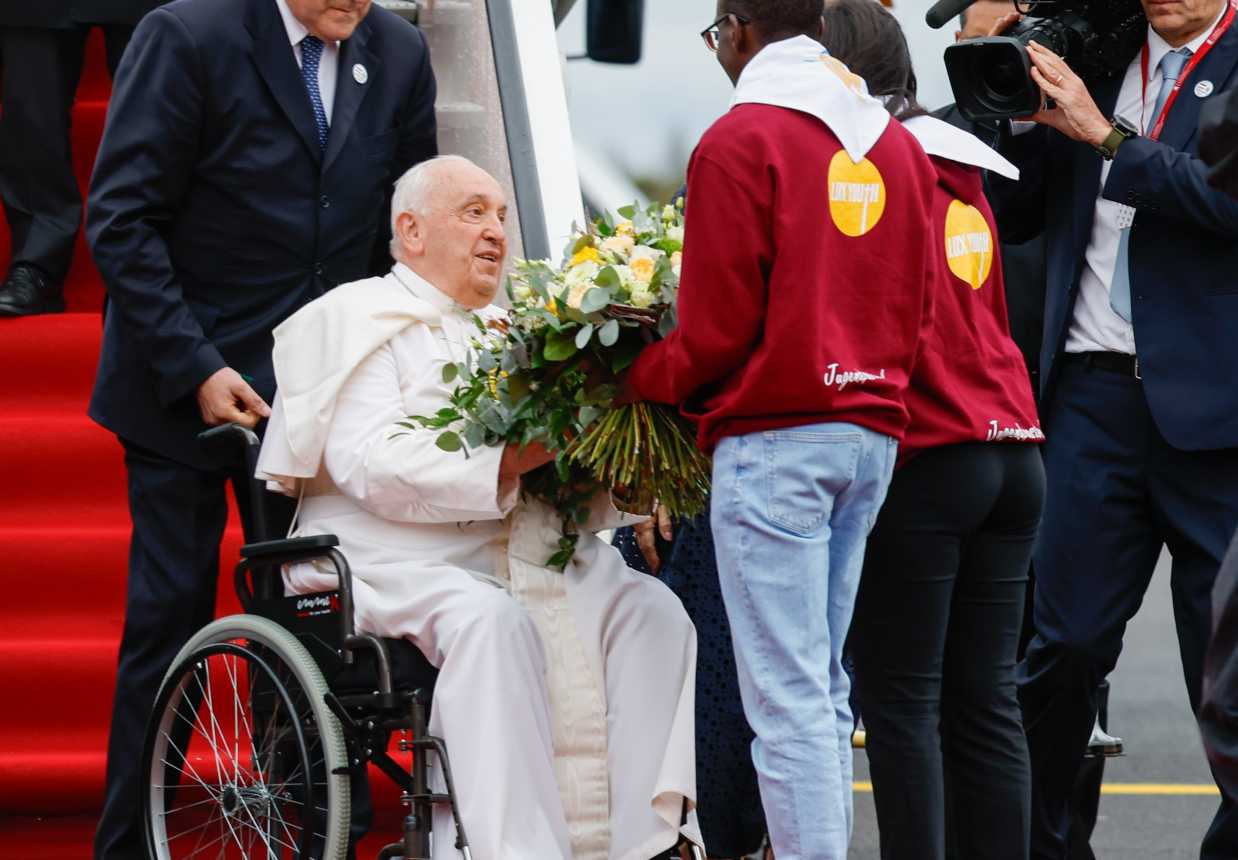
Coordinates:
[1184,254]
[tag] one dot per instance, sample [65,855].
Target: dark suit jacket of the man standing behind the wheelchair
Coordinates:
[214,215]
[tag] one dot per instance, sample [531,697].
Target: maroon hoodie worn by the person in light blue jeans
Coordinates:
[805,289]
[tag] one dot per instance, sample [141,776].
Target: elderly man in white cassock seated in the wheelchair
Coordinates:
[566,700]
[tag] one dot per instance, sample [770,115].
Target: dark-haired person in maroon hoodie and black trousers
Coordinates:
[940,607]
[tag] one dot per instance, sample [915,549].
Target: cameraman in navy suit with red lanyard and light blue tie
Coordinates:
[1143,446]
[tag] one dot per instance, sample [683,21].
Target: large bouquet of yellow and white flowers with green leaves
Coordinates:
[549,374]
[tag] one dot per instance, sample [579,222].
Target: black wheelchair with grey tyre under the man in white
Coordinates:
[366,720]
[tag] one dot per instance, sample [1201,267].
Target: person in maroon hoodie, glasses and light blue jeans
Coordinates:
[804,301]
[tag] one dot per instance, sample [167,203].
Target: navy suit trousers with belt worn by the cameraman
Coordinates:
[1117,494]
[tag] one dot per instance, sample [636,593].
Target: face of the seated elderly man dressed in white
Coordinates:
[460,243]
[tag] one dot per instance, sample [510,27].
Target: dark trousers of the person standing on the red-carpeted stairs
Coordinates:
[38,185]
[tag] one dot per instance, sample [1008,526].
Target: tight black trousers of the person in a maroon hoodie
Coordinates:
[934,642]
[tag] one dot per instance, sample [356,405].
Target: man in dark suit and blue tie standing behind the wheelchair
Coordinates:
[246,169]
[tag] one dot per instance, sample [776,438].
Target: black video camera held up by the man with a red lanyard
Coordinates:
[992,76]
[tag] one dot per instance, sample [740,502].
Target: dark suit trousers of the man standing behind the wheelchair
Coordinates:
[179,517]
